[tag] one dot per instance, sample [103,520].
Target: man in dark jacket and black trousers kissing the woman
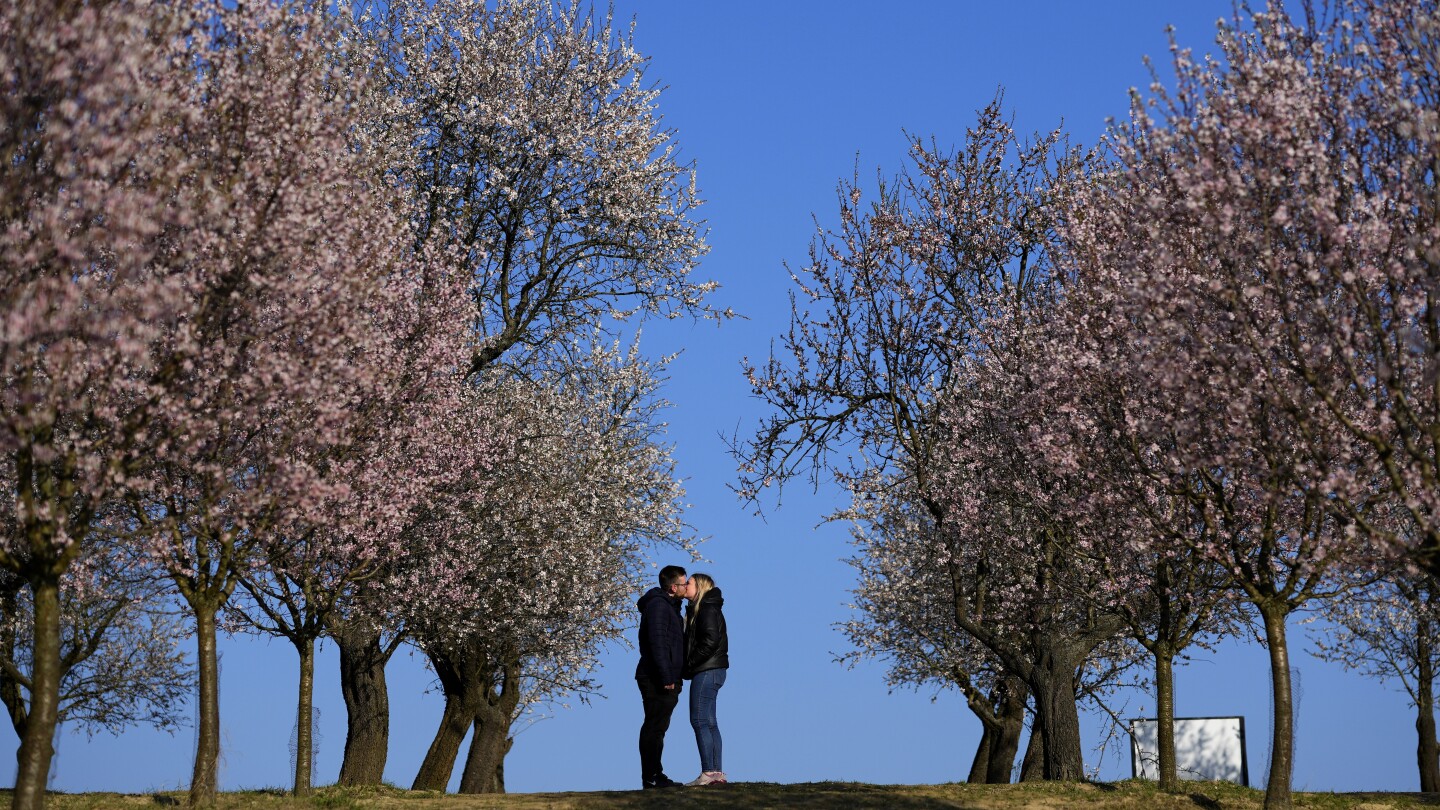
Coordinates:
[662,661]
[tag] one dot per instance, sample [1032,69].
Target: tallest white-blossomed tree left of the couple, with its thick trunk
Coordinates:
[531,145]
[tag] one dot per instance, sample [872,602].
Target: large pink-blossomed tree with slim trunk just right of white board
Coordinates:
[1245,236]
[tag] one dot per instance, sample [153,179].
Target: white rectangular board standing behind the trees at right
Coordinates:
[1206,749]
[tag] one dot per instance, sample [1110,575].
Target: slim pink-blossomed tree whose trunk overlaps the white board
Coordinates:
[1095,416]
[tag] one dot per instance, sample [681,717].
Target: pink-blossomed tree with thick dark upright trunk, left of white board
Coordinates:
[1029,579]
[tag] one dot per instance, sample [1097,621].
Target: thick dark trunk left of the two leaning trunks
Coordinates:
[368,707]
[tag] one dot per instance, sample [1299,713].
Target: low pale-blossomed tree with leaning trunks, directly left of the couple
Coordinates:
[539,573]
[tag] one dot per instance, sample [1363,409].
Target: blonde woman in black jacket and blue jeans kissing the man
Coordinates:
[708,658]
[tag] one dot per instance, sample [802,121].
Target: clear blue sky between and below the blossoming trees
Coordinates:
[774,102]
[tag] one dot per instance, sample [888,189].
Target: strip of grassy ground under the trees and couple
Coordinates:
[813,796]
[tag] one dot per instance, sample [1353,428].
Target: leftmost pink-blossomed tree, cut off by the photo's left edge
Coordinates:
[91,301]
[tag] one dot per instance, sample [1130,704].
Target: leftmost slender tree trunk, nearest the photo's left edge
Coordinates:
[38,744]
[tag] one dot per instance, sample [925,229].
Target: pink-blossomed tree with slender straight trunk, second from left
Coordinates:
[290,253]
